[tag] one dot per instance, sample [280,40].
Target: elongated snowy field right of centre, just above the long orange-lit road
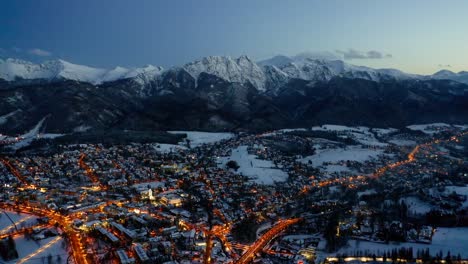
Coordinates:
[352,153]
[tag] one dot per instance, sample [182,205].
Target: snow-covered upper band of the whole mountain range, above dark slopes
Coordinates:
[266,75]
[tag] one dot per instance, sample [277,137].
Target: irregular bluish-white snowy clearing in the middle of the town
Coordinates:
[261,171]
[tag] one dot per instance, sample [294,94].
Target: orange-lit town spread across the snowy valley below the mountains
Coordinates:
[318,195]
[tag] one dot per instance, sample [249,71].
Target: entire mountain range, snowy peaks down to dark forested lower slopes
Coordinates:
[221,93]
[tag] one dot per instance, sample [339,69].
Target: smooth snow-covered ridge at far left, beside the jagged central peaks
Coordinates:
[12,69]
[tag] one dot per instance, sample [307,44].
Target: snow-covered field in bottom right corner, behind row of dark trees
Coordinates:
[454,240]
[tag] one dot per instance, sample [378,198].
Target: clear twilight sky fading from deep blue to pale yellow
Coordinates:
[418,36]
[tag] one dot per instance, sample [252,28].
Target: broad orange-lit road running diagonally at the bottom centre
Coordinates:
[265,239]
